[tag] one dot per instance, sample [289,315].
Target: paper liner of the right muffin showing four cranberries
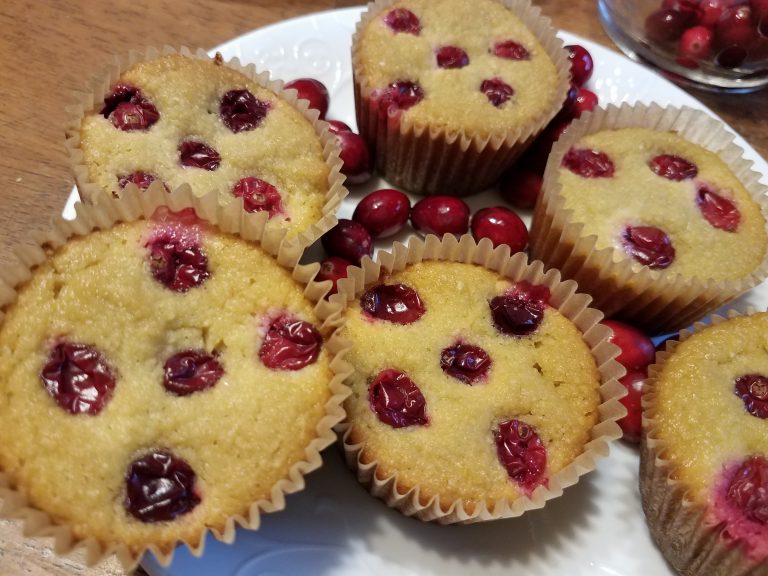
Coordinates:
[653,299]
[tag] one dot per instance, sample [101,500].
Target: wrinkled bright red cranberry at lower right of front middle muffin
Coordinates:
[522,453]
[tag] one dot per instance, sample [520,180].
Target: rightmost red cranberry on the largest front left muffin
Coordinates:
[290,344]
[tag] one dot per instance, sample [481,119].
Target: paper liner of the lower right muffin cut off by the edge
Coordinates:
[679,526]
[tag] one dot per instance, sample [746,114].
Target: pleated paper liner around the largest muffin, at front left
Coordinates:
[136,205]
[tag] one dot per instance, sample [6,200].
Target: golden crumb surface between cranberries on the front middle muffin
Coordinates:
[547,380]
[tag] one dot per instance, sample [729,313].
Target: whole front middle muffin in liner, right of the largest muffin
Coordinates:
[482,415]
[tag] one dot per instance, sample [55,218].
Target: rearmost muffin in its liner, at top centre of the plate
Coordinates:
[448,93]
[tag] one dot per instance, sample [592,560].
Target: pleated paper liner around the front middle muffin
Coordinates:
[411,500]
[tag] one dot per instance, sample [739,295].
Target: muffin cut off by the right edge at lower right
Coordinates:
[704,457]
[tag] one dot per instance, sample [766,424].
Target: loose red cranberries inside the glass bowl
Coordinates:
[726,33]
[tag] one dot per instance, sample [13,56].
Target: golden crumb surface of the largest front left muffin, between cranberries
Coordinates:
[239,436]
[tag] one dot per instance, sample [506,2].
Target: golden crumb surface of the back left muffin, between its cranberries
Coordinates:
[187,93]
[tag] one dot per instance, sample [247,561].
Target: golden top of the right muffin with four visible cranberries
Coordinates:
[636,177]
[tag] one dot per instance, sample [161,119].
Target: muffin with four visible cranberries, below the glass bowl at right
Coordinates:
[654,213]
